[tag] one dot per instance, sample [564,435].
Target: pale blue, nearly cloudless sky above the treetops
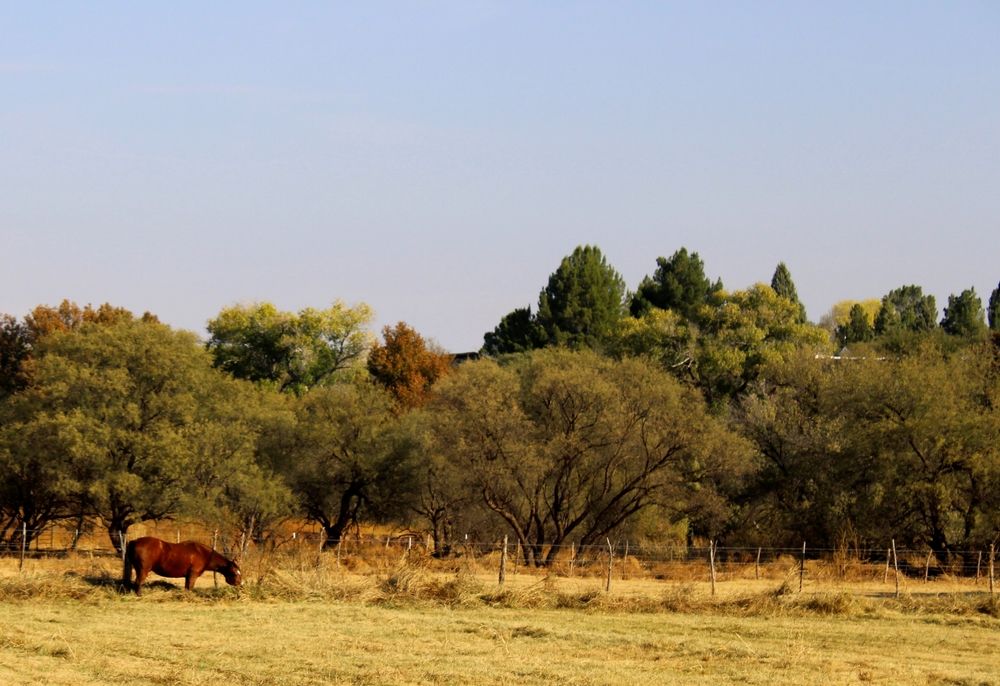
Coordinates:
[437,159]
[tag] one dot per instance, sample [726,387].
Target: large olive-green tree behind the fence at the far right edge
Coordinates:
[924,416]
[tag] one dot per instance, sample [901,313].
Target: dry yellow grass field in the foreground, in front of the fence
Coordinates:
[305,620]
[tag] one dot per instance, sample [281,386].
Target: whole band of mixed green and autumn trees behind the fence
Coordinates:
[674,411]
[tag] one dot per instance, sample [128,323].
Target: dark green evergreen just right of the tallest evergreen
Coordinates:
[678,284]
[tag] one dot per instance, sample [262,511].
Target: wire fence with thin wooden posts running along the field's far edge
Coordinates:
[654,560]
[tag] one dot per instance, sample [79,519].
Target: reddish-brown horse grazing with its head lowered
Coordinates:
[187,559]
